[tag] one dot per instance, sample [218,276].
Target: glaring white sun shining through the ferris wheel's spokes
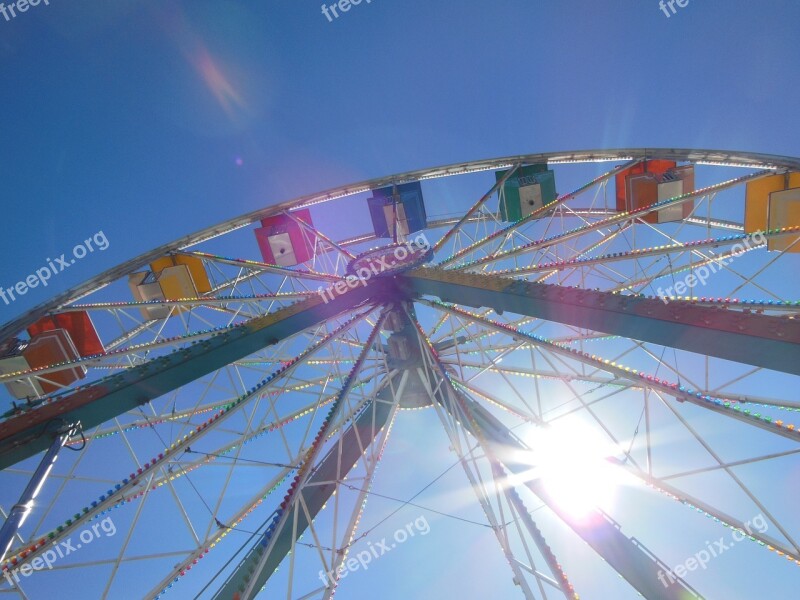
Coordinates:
[570,460]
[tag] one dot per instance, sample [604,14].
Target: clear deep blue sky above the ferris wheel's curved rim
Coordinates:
[150,120]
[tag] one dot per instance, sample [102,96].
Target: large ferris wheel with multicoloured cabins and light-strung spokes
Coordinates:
[608,344]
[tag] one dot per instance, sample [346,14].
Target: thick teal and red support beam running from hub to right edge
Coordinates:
[761,340]
